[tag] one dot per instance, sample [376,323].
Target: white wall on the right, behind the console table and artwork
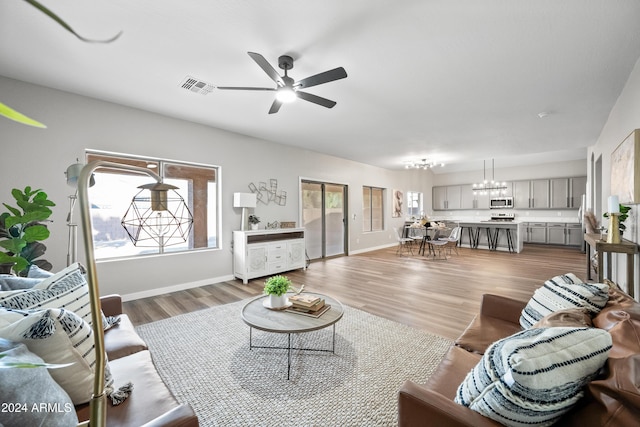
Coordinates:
[623,119]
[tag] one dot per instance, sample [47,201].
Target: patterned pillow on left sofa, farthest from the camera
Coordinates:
[66,289]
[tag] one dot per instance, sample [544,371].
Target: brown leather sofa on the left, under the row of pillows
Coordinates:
[151,403]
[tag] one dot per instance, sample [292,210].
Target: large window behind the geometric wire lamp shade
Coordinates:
[113,191]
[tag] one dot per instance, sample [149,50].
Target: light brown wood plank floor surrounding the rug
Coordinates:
[438,296]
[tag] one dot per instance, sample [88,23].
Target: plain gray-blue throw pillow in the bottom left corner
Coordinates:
[31,397]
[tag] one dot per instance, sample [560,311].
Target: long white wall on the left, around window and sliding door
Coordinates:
[39,157]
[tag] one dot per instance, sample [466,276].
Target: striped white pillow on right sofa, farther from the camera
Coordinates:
[562,292]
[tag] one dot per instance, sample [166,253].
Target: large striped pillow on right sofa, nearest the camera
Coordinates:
[534,377]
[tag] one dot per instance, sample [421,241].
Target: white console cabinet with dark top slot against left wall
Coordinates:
[258,253]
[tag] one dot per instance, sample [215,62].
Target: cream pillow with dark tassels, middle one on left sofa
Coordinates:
[57,336]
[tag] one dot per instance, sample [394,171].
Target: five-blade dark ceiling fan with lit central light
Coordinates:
[287,89]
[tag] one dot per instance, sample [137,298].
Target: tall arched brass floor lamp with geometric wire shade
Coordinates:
[97,404]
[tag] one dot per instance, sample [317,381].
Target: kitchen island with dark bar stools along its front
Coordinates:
[495,235]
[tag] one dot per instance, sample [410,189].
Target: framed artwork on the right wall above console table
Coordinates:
[625,169]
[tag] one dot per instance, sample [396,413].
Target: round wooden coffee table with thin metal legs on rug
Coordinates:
[256,315]
